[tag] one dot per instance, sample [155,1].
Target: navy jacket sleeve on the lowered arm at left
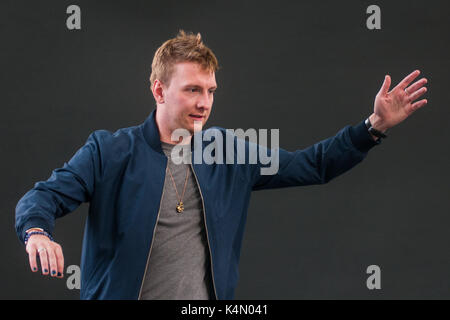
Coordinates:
[62,193]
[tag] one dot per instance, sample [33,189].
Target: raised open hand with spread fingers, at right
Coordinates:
[392,107]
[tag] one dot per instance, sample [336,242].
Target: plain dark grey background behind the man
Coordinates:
[306,67]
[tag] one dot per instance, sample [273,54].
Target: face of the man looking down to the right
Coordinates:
[189,96]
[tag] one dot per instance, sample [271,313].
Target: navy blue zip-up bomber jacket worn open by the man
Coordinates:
[122,174]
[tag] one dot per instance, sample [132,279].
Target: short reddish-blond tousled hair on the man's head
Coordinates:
[184,47]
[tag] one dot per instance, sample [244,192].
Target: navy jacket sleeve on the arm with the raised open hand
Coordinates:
[318,163]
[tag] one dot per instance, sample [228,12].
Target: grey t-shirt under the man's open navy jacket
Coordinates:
[179,264]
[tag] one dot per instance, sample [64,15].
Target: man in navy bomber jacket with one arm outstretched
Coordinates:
[161,229]
